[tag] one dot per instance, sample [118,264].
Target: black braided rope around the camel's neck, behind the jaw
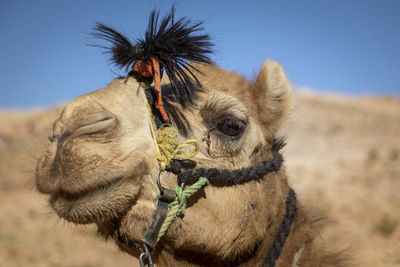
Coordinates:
[284,230]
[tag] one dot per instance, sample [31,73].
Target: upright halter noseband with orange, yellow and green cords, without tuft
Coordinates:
[167,150]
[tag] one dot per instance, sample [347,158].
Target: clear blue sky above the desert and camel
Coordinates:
[346,46]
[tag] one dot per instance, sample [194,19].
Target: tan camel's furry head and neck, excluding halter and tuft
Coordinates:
[101,167]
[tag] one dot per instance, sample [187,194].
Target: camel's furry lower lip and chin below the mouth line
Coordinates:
[98,205]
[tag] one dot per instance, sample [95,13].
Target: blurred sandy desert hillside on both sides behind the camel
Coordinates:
[342,156]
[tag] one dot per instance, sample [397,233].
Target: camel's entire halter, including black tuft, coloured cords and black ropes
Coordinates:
[172,46]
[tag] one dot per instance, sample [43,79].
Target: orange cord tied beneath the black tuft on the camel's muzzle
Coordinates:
[152,69]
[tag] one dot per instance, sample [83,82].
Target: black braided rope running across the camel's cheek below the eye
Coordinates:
[218,177]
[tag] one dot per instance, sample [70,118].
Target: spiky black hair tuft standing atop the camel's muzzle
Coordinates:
[175,44]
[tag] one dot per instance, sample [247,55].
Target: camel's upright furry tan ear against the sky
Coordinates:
[273,95]
